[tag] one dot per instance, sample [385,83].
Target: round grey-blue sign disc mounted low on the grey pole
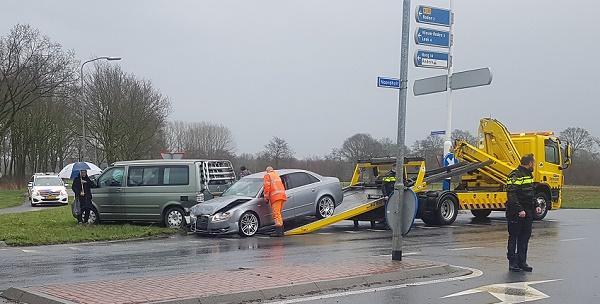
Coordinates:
[410,206]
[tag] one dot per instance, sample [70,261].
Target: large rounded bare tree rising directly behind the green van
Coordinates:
[125,116]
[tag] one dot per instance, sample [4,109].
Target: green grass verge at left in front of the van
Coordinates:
[56,225]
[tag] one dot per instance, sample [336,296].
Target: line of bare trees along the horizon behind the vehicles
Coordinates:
[126,118]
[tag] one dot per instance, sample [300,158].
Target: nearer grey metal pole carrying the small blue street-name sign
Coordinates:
[399,185]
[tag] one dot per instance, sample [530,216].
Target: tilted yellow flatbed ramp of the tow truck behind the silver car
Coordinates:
[356,202]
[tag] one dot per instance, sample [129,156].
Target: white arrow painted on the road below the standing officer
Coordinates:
[509,293]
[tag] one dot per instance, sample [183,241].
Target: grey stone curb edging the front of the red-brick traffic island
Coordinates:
[25,295]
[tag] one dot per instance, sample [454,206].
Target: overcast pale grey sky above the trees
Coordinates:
[306,70]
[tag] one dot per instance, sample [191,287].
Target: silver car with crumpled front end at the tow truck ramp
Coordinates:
[242,208]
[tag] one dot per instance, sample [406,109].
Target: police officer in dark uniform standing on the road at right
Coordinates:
[519,213]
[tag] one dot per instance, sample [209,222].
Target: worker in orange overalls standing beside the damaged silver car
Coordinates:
[274,193]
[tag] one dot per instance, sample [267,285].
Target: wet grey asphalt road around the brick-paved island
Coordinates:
[564,247]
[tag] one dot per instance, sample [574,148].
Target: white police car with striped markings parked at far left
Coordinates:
[45,188]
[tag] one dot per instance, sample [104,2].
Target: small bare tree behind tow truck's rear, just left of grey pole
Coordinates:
[361,146]
